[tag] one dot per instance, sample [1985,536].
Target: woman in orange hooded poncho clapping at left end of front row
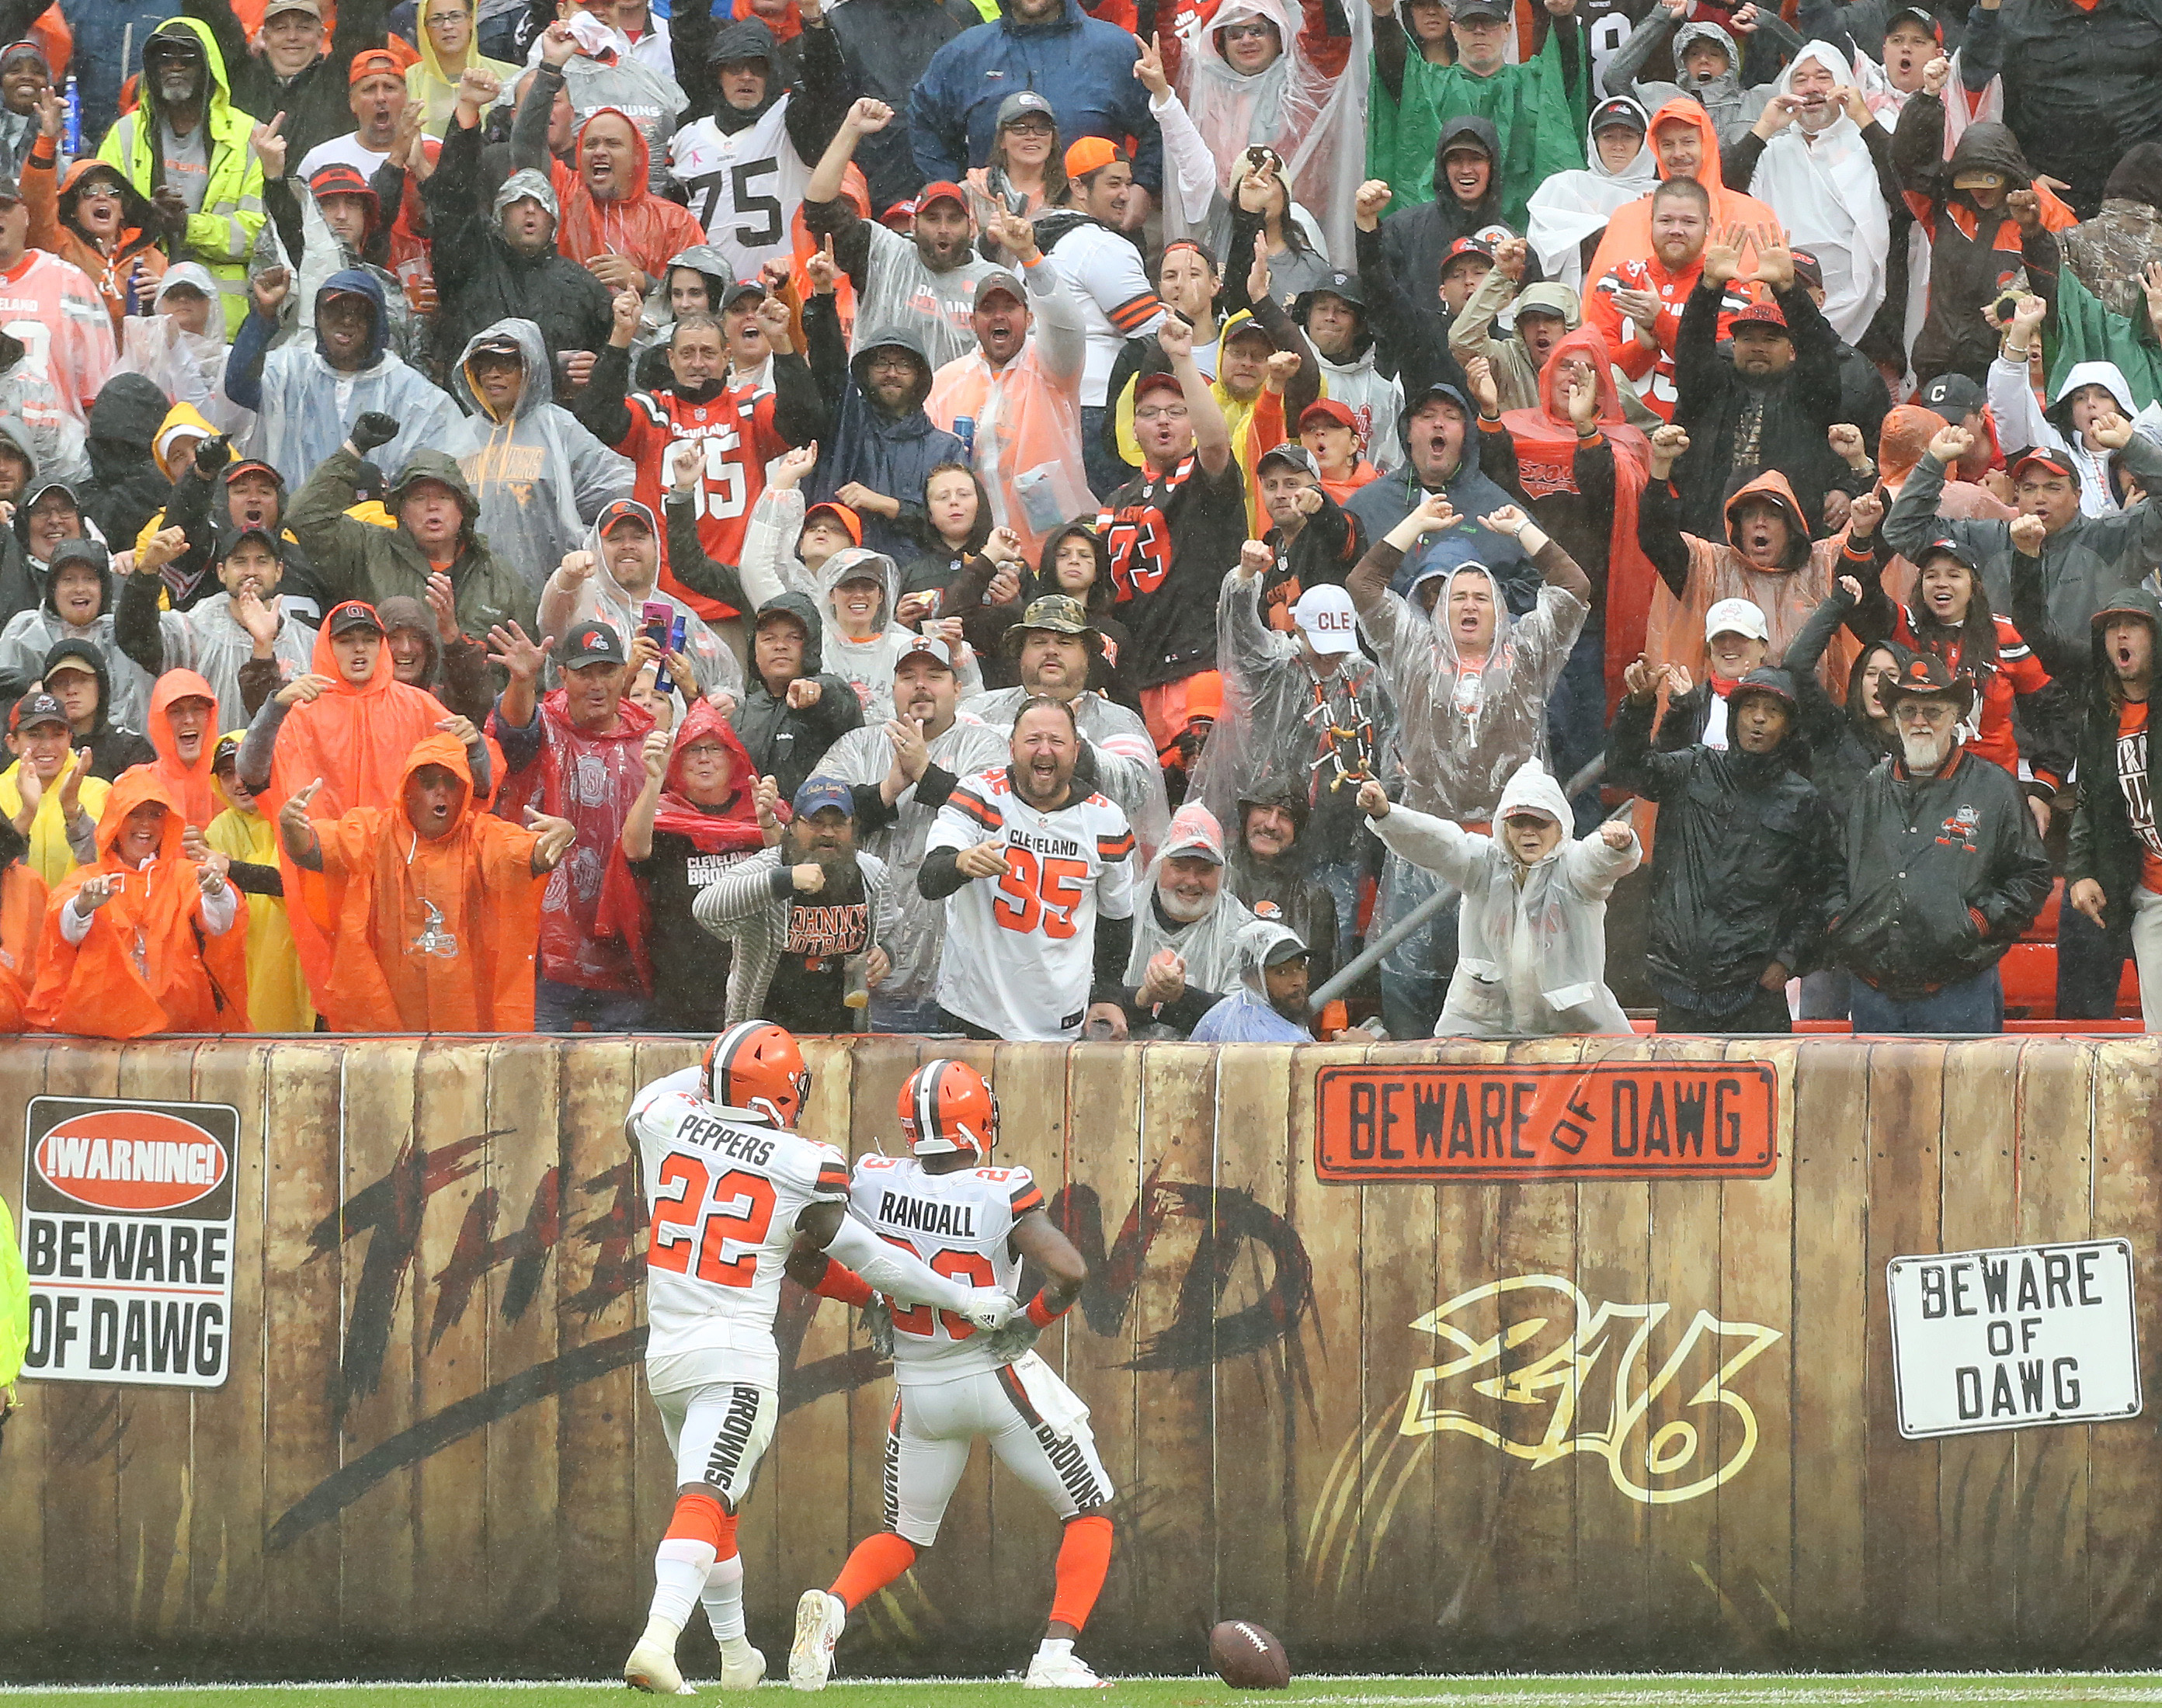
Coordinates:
[144,942]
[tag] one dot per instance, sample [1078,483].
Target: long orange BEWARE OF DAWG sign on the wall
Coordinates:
[1571,1121]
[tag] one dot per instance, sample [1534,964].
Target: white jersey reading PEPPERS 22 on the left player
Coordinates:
[723,1195]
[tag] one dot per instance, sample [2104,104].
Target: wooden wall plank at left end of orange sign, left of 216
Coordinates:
[1331,1445]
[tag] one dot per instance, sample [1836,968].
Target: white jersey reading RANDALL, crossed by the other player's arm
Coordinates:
[959,1225]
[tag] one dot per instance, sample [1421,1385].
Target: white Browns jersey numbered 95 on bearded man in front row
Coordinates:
[1019,950]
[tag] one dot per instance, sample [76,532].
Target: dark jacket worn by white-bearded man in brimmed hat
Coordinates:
[1943,875]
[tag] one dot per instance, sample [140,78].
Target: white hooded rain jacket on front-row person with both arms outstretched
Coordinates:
[1532,942]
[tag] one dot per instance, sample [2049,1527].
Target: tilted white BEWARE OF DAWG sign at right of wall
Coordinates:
[2014,1337]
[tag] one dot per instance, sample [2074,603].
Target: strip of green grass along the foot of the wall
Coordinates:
[1493,1692]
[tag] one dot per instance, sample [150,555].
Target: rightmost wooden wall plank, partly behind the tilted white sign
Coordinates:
[2124,1506]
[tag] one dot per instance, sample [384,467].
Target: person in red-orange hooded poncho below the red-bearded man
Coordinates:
[1594,520]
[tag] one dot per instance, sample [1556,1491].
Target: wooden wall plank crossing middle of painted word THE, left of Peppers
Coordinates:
[518,1303]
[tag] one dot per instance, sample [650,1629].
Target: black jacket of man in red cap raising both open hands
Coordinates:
[1726,414]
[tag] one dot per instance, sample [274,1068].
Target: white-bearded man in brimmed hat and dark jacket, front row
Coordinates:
[1943,870]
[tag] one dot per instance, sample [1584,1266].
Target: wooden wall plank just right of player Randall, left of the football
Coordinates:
[1175,1573]
